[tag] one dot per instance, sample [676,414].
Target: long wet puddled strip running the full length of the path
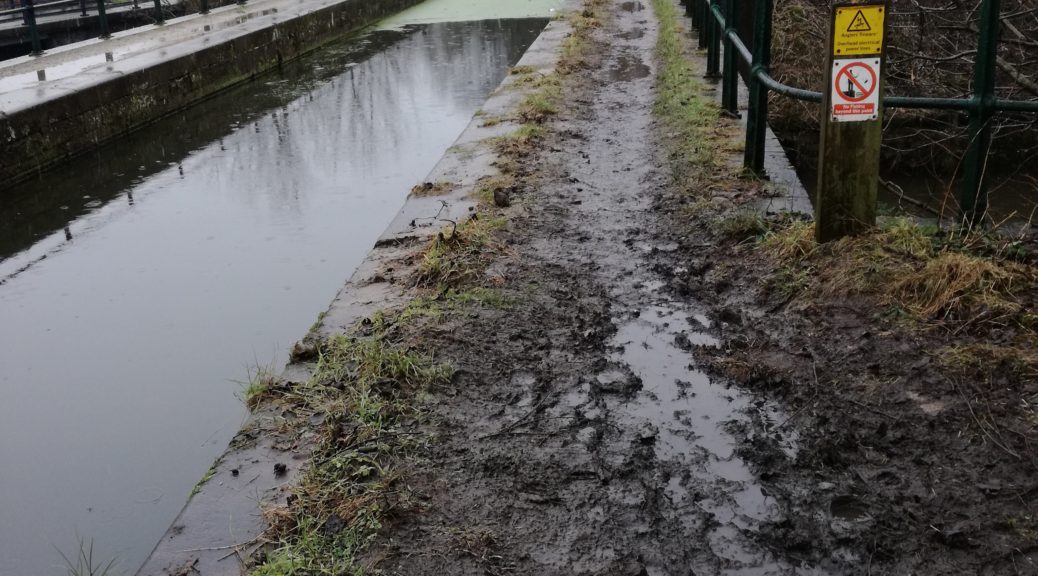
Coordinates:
[694,426]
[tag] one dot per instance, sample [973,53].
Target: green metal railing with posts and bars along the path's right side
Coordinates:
[716,20]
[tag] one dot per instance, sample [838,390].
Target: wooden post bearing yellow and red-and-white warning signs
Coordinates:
[853,112]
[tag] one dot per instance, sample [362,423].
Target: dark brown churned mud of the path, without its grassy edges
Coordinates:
[645,405]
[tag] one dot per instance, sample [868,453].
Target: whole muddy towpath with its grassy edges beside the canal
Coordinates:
[588,373]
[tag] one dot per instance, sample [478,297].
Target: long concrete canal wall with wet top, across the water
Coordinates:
[38,133]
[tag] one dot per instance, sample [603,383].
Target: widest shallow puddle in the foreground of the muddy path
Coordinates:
[687,417]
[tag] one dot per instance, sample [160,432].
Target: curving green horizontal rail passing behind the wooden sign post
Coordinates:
[922,103]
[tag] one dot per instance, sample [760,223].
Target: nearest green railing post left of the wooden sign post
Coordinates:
[757,119]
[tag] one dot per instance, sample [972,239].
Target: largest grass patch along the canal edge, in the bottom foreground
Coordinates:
[361,389]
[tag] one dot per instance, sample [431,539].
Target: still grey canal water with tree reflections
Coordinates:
[141,286]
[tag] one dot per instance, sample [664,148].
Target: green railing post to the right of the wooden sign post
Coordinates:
[973,188]
